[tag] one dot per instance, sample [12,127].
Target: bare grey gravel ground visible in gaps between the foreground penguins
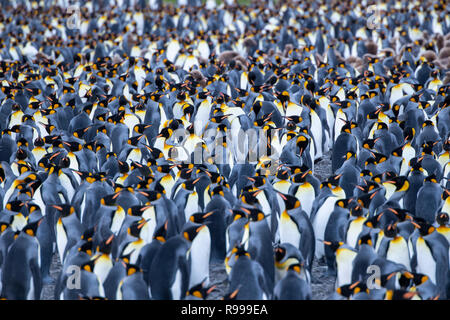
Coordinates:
[322,284]
